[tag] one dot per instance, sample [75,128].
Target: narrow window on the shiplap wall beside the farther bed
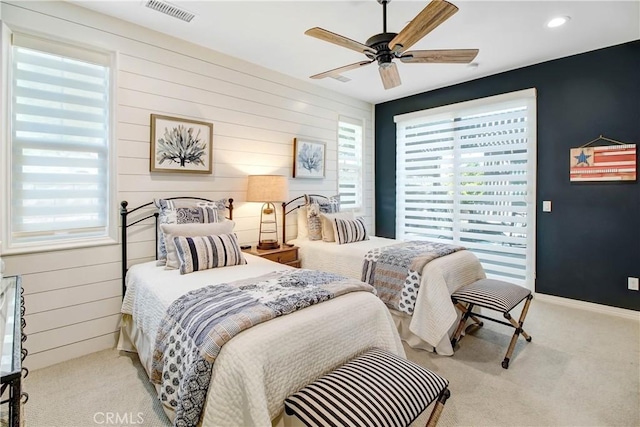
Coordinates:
[350,166]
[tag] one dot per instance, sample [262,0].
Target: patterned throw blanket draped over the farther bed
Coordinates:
[395,271]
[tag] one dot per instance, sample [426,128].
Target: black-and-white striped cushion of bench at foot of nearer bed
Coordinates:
[375,389]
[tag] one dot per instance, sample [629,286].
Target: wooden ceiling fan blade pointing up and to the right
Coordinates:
[426,21]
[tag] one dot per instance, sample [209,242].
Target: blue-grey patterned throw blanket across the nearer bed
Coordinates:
[199,323]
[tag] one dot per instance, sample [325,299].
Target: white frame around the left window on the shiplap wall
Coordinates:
[109,237]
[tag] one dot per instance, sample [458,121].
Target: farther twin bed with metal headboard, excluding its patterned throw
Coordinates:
[430,324]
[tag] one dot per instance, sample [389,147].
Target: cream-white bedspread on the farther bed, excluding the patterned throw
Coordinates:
[434,313]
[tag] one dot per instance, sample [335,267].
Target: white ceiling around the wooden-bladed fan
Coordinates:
[509,34]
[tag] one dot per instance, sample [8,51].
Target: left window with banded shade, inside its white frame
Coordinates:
[60,181]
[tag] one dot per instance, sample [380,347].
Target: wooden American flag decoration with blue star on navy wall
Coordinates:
[604,163]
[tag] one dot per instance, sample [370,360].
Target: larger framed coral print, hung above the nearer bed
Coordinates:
[180,145]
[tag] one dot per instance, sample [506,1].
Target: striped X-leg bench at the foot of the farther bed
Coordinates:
[494,295]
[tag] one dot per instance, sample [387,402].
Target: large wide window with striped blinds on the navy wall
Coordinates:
[466,175]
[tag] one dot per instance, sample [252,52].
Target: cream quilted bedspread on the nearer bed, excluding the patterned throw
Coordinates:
[261,366]
